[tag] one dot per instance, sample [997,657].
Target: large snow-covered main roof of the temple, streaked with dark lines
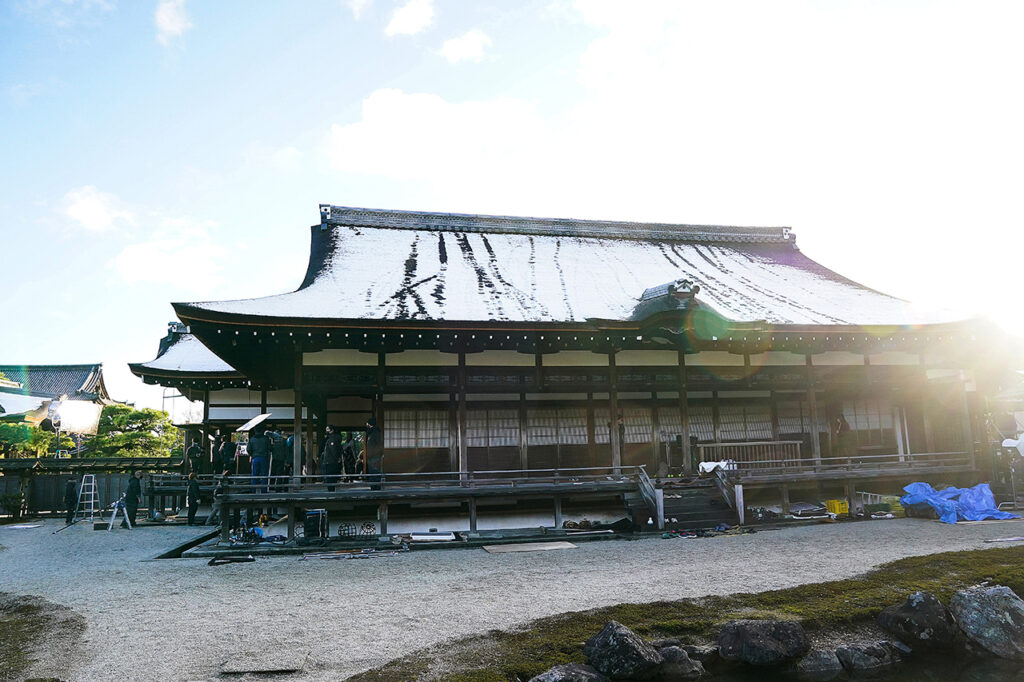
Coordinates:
[396,266]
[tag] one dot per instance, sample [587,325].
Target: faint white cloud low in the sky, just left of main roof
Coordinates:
[181,251]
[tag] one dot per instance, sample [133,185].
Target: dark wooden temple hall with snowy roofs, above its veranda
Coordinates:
[485,344]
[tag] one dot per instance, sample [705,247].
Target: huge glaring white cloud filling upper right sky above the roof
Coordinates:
[892,158]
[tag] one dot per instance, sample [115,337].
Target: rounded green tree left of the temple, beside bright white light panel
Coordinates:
[125,432]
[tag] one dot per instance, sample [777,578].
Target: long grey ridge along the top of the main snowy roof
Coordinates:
[466,223]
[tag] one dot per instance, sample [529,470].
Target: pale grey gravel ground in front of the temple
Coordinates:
[182,620]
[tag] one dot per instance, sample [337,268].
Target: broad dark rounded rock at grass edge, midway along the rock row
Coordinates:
[762,643]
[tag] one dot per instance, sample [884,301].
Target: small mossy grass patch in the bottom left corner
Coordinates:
[28,624]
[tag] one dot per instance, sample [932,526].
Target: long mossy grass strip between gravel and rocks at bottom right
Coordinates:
[500,656]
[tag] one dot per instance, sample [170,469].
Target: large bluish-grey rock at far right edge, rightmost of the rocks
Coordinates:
[992,618]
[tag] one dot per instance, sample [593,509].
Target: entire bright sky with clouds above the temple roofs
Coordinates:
[154,152]
